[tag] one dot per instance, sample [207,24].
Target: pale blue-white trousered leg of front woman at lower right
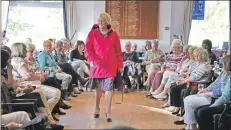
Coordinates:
[190,104]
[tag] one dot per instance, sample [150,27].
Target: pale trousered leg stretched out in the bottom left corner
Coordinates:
[19,117]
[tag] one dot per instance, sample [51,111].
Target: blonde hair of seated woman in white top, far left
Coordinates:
[18,49]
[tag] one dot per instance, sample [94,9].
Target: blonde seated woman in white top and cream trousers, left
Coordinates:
[25,75]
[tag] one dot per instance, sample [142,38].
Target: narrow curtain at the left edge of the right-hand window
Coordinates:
[188,8]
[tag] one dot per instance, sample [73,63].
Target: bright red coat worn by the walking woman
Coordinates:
[105,52]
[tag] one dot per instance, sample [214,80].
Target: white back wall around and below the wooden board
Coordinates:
[170,13]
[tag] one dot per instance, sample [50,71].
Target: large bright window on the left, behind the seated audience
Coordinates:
[39,20]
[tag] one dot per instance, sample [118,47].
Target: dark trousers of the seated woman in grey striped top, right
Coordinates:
[175,94]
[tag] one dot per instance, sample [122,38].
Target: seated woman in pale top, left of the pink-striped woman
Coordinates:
[153,59]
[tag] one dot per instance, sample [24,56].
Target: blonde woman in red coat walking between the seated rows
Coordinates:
[103,52]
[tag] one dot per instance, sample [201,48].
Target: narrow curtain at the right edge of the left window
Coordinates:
[70,20]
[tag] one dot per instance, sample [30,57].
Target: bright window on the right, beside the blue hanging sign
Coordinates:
[215,25]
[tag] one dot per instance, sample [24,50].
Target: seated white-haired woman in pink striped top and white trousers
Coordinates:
[171,63]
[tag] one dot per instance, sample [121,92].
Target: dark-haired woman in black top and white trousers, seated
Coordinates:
[79,61]
